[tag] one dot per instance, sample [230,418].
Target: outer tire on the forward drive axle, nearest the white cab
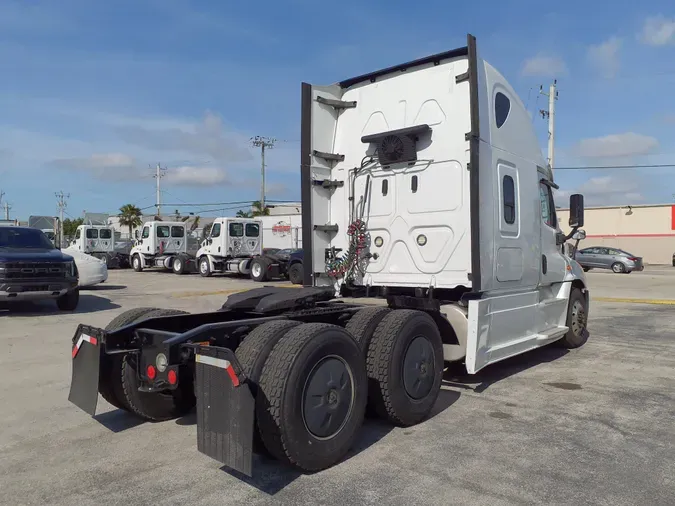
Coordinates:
[405,366]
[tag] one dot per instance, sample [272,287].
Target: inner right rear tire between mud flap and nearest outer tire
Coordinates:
[252,355]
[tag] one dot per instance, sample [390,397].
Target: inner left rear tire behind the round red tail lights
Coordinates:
[156,406]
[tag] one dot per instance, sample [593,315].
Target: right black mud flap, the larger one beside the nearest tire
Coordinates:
[225,409]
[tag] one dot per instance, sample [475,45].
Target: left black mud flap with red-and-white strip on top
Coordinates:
[86,353]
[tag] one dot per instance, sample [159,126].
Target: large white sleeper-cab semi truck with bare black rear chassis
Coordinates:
[430,236]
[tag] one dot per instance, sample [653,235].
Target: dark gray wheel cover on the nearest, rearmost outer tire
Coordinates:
[328,397]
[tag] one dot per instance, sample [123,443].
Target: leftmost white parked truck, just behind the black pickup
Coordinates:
[99,242]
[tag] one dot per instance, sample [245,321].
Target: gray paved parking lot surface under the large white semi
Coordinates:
[588,426]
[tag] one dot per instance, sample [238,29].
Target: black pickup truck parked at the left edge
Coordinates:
[31,268]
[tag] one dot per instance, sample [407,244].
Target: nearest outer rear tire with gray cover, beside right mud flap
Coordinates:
[312,396]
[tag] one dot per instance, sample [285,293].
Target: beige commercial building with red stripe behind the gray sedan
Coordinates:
[643,230]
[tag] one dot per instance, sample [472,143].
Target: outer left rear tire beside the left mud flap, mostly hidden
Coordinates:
[109,375]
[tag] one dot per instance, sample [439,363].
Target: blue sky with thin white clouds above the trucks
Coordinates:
[92,93]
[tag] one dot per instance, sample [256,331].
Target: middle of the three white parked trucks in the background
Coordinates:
[168,245]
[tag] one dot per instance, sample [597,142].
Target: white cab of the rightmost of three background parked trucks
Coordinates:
[230,245]
